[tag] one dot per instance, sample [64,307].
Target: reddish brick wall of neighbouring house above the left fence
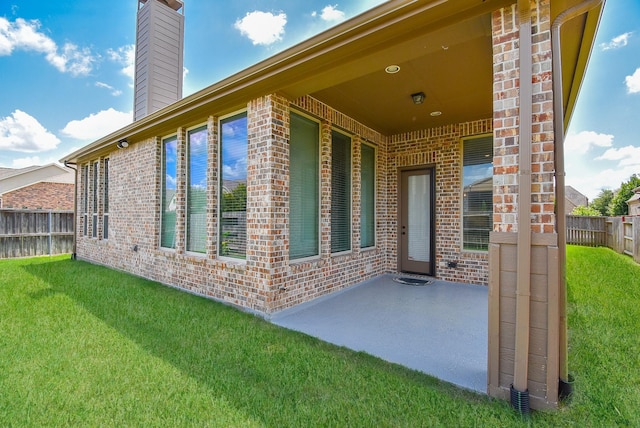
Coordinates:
[45,196]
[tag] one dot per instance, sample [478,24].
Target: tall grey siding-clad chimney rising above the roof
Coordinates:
[159,55]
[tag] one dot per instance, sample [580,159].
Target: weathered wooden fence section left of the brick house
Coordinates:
[27,233]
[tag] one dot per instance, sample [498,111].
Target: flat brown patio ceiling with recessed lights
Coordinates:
[452,66]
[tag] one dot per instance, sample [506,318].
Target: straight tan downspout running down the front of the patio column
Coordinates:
[519,391]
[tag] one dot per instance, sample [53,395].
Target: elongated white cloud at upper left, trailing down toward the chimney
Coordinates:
[26,35]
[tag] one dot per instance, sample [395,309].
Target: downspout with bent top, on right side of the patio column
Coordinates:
[558,126]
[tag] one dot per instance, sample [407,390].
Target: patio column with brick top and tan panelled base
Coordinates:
[541,296]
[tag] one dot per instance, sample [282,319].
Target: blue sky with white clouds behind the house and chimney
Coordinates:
[67,73]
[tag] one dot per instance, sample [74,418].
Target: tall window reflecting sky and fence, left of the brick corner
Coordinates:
[233,186]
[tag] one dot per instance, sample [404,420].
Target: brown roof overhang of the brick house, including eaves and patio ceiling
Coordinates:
[344,67]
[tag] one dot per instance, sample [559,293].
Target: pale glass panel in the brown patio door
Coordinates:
[418,217]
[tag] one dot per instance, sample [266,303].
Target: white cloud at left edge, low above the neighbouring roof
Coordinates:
[21,132]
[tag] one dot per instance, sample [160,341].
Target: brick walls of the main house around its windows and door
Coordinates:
[268,281]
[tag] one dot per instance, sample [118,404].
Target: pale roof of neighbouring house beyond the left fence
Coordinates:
[12,179]
